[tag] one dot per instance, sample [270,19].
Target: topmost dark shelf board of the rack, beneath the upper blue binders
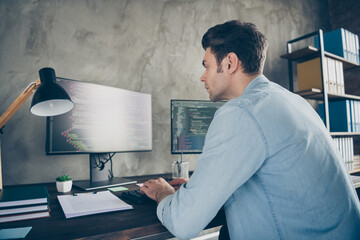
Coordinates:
[311,52]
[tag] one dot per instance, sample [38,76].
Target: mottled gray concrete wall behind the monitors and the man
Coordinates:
[151,46]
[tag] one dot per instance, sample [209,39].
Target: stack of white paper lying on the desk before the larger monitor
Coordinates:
[82,204]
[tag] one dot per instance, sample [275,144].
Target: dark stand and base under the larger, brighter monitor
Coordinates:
[101,175]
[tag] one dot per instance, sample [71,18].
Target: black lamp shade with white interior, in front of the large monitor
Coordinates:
[50,99]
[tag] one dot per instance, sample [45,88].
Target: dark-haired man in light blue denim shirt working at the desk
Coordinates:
[267,158]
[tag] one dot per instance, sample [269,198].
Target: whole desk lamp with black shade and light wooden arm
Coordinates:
[50,99]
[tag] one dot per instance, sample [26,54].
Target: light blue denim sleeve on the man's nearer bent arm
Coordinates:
[234,150]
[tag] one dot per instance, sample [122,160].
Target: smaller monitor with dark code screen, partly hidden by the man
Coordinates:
[190,120]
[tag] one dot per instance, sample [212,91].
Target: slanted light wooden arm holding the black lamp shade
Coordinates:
[19,101]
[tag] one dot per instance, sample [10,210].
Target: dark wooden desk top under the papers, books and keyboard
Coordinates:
[141,222]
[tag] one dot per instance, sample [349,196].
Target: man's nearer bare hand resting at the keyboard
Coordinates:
[157,189]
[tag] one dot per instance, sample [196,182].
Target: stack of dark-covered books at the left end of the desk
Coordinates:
[24,202]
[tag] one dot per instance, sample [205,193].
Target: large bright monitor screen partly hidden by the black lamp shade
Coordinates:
[104,119]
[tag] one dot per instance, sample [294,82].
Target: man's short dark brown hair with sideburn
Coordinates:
[241,38]
